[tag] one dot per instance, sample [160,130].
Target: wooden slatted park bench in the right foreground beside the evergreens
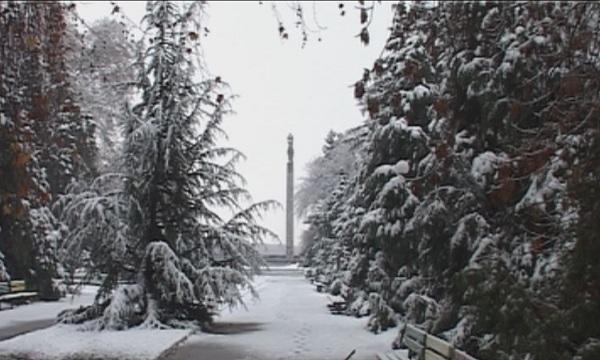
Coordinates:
[423,346]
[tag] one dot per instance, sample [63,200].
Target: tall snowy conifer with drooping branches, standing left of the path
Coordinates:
[160,227]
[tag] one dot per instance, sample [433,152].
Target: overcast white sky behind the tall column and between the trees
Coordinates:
[282,87]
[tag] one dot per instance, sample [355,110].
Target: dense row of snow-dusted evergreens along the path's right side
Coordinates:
[474,210]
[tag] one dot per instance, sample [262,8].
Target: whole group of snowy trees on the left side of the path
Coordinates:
[134,192]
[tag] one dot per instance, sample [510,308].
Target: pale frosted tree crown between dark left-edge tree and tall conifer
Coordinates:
[103,59]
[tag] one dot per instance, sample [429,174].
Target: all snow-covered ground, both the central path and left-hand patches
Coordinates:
[289,321]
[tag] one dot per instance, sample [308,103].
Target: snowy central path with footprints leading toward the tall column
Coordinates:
[290,321]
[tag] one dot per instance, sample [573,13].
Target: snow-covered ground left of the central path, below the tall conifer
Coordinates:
[67,342]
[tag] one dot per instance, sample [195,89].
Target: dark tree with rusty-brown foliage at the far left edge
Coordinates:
[45,141]
